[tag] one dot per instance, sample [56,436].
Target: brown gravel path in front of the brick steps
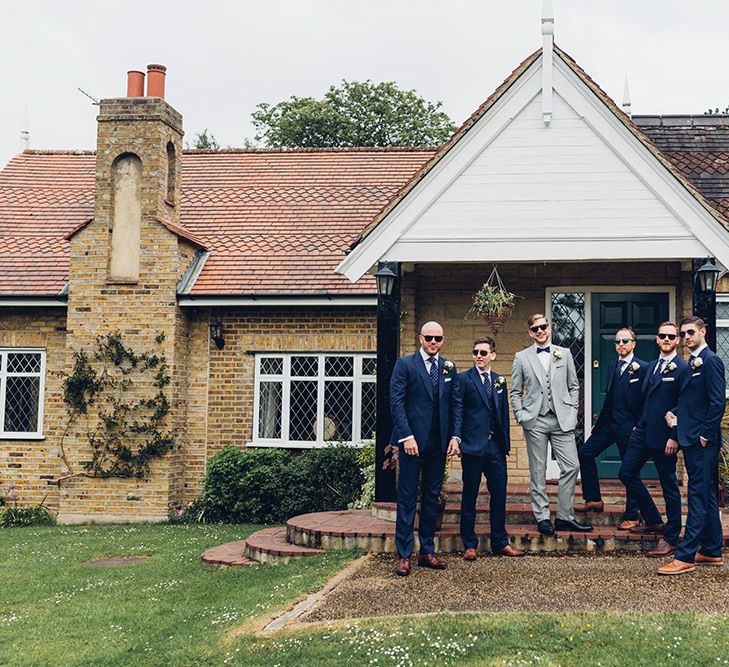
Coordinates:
[533,583]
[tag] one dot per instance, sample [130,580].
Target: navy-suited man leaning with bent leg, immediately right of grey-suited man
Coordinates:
[615,423]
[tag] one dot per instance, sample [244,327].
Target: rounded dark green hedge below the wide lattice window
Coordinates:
[271,485]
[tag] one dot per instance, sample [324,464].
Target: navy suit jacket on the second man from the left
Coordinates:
[481,415]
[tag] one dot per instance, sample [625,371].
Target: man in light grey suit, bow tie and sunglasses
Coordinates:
[544,397]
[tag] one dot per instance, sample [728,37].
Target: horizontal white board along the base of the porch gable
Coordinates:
[548,250]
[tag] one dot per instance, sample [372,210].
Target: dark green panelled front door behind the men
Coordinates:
[643,312]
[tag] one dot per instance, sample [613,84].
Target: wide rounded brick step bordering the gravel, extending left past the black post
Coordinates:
[359,529]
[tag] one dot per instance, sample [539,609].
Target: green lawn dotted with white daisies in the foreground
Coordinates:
[172,610]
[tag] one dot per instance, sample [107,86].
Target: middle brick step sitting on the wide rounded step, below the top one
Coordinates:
[516,513]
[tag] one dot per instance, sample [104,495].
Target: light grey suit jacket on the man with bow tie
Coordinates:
[528,387]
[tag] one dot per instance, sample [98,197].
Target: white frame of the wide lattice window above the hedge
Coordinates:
[358,379]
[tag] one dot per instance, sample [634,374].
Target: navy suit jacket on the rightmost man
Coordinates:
[701,401]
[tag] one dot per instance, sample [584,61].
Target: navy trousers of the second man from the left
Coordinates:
[492,464]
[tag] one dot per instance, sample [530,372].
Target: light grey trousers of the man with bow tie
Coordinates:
[547,430]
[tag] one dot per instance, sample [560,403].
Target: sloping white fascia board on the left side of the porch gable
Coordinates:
[376,247]
